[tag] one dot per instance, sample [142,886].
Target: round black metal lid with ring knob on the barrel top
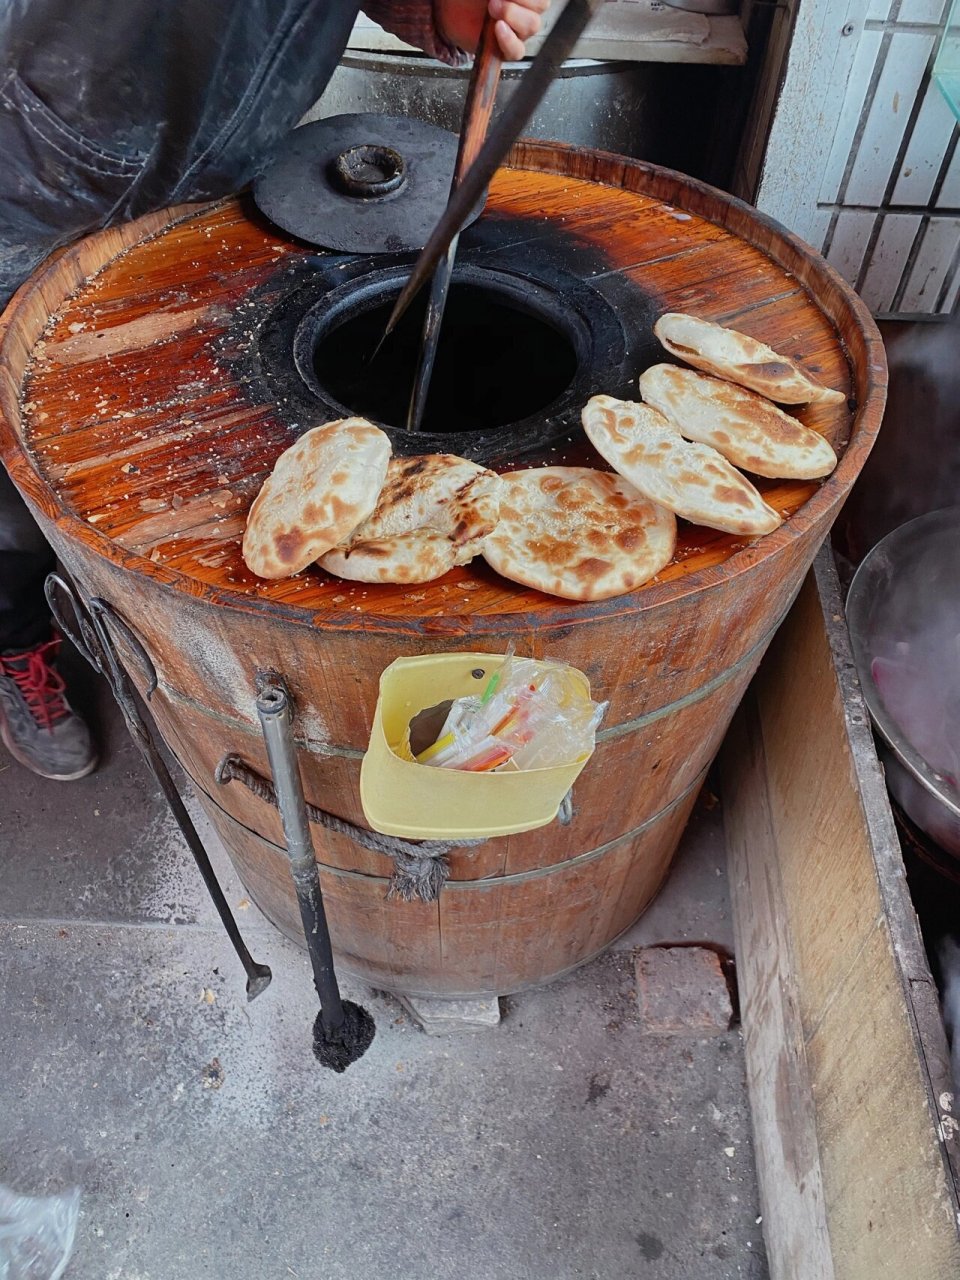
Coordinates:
[362,184]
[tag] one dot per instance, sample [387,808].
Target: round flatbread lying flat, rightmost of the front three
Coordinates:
[579,533]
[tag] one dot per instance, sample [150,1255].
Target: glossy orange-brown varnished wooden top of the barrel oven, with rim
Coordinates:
[134,418]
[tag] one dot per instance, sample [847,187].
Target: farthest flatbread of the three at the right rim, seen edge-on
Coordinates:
[742,360]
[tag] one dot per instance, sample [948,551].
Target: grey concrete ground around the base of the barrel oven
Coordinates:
[208,1144]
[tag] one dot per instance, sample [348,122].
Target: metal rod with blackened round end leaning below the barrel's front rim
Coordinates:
[344,1031]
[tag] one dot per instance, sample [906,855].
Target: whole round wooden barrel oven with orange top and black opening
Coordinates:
[148,388]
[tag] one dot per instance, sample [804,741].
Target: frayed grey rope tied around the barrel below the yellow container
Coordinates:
[420,867]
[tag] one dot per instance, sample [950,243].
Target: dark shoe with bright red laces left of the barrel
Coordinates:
[38,725]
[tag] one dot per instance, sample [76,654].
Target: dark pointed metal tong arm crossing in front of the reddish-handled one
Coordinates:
[523,104]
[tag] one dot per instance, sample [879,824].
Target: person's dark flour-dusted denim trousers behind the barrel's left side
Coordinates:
[109,111]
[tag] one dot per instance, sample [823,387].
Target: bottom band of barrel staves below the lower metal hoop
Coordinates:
[616,898]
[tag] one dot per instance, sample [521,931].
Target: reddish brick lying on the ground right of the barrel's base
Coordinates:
[682,991]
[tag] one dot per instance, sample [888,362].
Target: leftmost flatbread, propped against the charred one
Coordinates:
[319,491]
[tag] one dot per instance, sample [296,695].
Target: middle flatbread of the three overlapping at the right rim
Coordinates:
[746,428]
